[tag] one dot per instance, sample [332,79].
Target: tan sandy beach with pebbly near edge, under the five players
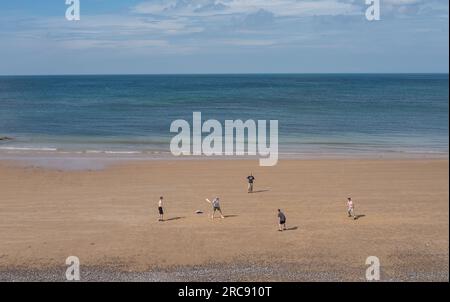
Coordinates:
[108,218]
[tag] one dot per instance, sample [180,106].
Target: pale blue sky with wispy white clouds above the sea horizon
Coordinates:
[223,36]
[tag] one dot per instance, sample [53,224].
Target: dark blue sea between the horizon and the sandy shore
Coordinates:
[345,113]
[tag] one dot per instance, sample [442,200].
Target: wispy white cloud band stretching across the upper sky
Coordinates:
[185,25]
